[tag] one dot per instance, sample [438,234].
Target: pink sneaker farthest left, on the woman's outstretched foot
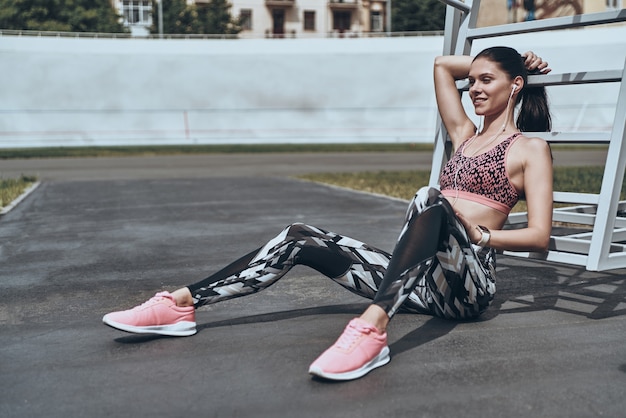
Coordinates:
[159,315]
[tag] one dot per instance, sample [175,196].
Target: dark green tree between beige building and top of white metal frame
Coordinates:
[417,15]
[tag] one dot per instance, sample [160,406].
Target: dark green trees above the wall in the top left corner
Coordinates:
[60,15]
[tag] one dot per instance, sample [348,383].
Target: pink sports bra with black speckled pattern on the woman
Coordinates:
[482,178]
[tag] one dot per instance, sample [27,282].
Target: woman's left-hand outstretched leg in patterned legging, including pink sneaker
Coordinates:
[351,263]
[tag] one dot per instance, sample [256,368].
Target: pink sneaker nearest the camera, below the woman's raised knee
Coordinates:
[360,349]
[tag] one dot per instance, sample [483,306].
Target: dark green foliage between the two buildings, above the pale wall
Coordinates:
[205,18]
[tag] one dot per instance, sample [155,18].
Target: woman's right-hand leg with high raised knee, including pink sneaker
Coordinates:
[434,268]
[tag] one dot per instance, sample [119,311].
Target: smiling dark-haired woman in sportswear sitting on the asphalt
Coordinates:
[443,263]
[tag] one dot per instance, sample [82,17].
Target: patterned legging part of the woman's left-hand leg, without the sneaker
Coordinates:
[353,264]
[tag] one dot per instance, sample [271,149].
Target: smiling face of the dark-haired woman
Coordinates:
[490,87]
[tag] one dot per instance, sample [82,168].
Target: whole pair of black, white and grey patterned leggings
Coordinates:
[434,268]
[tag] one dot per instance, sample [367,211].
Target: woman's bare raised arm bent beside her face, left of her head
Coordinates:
[447,70]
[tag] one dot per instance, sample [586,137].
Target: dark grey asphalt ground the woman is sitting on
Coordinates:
[551,346]
